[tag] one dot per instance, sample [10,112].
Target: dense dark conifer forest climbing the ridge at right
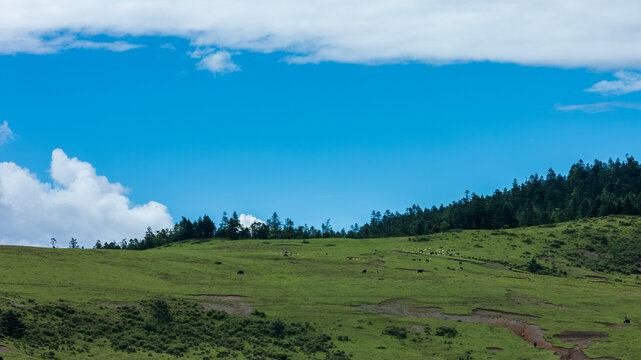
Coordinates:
[589,190]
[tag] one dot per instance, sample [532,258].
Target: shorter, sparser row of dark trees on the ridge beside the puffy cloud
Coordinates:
[229,227]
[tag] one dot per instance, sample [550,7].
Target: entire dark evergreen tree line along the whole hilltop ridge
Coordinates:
[589,190]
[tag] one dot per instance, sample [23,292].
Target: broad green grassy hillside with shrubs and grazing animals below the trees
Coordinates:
[575,280]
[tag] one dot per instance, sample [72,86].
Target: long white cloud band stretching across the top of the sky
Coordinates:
[568,33]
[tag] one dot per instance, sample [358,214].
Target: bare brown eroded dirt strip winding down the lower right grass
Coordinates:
[533,334]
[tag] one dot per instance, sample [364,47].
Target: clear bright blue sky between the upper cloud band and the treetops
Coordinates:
[328,138]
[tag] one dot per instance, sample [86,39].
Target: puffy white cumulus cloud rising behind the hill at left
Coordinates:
[79,203]
